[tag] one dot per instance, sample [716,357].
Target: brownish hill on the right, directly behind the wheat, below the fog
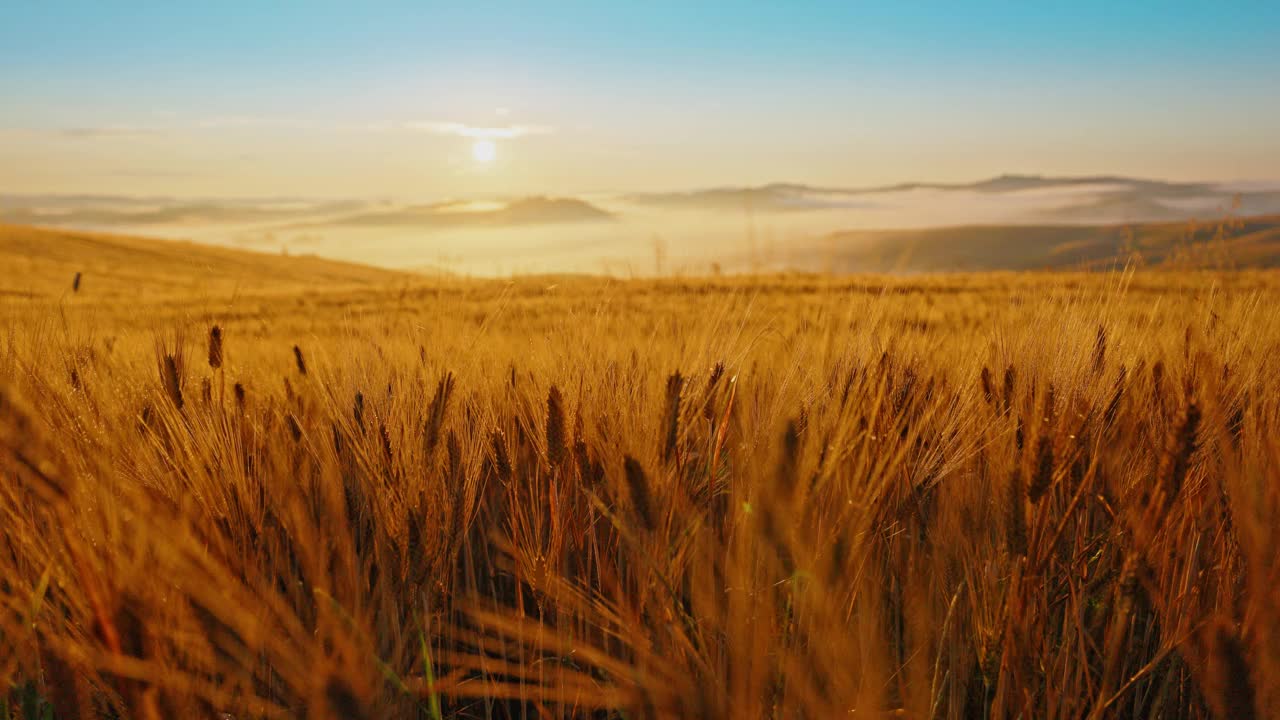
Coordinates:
[1250,243]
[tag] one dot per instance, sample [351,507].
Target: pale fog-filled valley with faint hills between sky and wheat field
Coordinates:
[720,230]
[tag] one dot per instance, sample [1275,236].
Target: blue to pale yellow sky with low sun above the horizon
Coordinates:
[438,99]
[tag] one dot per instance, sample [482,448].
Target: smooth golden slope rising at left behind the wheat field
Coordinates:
[44,262]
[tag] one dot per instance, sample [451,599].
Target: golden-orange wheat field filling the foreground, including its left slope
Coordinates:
[294,489]
